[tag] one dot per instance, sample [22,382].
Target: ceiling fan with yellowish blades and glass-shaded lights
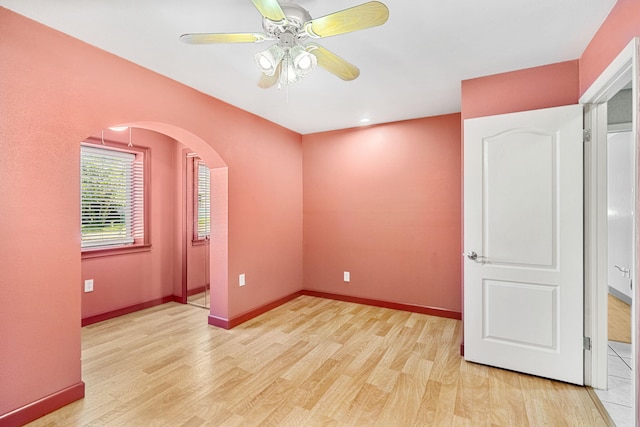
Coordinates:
[292,58]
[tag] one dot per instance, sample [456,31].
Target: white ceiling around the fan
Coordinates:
[410,67]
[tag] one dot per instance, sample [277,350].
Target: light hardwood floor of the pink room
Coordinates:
[309,362]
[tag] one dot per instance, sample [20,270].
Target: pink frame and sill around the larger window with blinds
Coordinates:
[140,244]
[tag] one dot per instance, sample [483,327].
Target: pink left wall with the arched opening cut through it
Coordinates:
[51,100]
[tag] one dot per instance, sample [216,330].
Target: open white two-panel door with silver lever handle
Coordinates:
[523,269]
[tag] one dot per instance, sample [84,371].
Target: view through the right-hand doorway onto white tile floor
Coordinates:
[620,218]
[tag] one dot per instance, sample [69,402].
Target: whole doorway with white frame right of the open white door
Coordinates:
[611,235]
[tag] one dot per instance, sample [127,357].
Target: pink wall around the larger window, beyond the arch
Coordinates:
[125,280]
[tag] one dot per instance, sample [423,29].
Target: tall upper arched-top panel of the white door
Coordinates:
[528,159]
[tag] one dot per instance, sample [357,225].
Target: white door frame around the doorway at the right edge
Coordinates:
[621,70]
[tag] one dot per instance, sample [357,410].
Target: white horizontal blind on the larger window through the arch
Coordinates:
[112,197]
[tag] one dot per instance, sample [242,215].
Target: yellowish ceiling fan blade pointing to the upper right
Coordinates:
[366,15]
